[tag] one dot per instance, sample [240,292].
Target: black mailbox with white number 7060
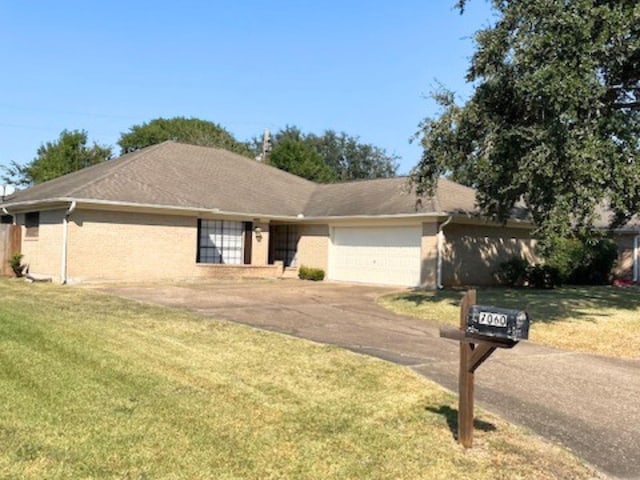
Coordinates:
[501,324]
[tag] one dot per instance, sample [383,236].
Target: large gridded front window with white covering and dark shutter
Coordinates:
[220,242]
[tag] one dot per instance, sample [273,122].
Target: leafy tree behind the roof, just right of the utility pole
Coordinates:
[339,157]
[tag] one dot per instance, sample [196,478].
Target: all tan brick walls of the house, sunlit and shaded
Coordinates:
[133,246]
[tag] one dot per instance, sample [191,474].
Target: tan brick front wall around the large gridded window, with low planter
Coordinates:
[137,247]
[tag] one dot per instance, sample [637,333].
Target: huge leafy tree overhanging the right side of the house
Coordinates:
[554,119]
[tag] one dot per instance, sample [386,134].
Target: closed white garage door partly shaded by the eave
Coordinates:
[384,255]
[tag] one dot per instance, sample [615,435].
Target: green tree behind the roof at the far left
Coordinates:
[54,159]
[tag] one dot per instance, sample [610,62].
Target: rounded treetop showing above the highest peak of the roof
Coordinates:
[180,129]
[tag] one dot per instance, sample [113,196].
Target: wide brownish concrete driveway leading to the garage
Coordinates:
[588,403]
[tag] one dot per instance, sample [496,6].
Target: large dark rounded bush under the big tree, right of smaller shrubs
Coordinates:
[584,262]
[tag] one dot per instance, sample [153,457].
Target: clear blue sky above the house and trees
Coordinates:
[363,67]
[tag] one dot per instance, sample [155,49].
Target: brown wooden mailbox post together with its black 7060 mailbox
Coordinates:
[475,349]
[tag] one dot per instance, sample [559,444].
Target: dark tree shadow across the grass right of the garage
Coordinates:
[544,306]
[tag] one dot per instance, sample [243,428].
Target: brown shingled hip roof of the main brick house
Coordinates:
[176,175]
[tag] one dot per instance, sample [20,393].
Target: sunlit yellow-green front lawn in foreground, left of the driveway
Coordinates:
[92,386]
